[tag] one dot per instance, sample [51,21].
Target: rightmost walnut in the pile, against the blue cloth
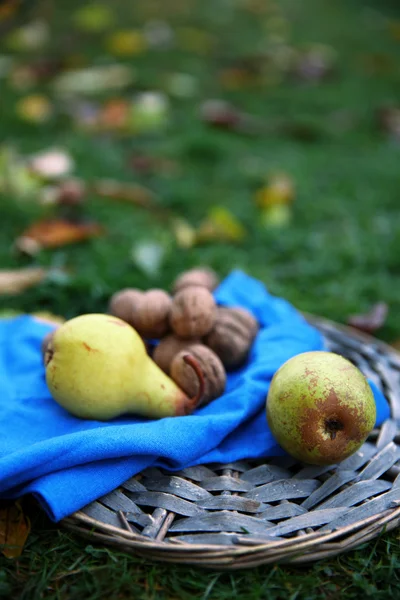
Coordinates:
[232,335]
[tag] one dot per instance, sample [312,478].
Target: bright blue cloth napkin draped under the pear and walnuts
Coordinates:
[67,462]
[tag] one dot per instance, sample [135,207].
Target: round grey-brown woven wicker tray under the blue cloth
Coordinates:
[248,513]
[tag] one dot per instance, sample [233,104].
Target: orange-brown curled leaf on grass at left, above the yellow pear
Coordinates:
[54,234]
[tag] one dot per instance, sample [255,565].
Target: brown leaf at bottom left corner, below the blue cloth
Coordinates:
[14,530]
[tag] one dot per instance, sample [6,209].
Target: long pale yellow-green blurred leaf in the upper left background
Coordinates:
[93,80]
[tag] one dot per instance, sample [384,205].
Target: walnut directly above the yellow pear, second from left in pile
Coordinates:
[150,316]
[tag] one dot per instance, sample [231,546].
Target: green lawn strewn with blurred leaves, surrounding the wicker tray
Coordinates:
[334,252]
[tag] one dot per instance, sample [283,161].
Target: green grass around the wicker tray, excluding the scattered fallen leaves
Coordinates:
[340,253]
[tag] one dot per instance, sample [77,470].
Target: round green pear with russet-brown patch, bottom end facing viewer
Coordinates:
[320,407]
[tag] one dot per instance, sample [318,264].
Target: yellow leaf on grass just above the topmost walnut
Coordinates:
[221,225]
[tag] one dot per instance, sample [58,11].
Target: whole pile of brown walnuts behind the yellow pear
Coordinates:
[189,321]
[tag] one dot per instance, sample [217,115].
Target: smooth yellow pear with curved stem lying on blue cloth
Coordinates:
[97,368]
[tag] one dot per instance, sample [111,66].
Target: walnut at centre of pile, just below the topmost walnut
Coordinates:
[193,312]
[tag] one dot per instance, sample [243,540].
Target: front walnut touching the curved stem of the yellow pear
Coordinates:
[211,366]
